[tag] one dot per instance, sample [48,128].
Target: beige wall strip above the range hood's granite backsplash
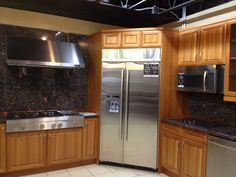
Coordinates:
[49,22]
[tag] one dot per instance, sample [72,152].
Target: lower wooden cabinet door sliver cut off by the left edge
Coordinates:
[2,148]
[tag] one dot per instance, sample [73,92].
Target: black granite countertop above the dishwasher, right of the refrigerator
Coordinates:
[219,129]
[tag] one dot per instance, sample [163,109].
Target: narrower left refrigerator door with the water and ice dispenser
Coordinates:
[111,143]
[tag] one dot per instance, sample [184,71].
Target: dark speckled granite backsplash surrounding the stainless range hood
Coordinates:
[23,89]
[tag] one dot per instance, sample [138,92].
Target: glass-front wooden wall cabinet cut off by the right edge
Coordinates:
[230,66]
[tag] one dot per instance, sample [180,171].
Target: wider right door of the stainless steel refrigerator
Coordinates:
[141,117]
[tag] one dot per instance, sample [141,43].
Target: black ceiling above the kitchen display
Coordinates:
[113,12]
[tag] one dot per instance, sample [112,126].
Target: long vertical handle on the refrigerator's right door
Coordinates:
[127,104]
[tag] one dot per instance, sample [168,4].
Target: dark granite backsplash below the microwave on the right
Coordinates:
[210,107]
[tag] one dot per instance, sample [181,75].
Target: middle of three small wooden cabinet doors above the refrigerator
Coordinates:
[131,39]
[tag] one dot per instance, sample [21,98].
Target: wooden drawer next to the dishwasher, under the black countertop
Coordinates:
[195,136]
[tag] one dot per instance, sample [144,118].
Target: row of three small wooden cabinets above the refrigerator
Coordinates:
[131,39]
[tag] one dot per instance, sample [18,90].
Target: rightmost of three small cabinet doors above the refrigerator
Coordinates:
[151,39]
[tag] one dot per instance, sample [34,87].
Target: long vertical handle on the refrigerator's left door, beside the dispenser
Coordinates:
[121,103]
